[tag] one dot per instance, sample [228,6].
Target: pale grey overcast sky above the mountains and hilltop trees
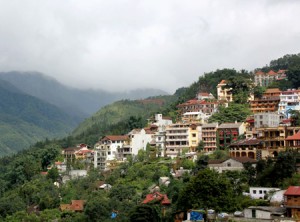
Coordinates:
[126,44]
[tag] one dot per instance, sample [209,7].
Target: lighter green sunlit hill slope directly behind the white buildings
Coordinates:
[119,118]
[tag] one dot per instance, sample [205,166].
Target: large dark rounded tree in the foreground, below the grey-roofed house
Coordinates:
[208,190]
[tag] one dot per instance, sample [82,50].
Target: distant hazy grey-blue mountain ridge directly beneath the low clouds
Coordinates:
[76,102]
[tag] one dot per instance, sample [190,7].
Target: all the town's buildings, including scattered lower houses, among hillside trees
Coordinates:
[265,133]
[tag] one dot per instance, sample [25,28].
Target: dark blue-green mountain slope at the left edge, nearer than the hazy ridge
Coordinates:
[25,119]
